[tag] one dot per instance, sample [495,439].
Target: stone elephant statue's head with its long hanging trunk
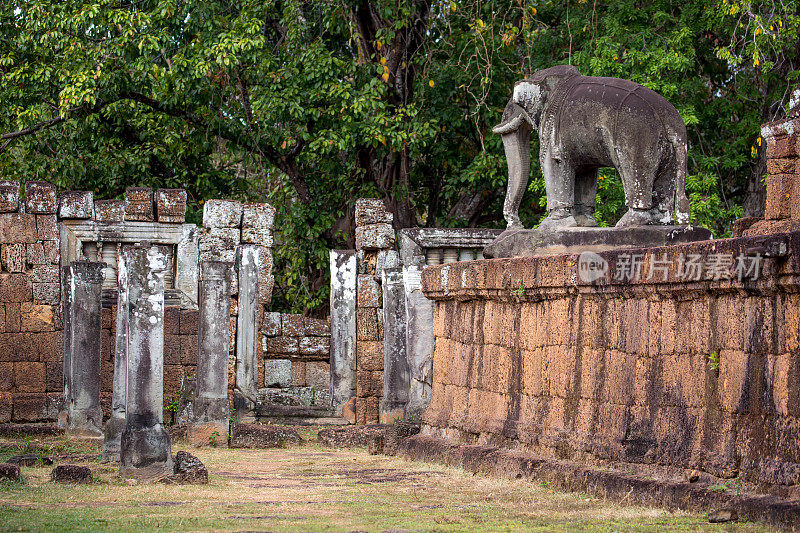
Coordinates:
[522,114]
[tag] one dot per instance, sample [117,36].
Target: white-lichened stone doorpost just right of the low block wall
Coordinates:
[343,332]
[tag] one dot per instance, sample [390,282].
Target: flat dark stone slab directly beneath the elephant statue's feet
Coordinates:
[531,242]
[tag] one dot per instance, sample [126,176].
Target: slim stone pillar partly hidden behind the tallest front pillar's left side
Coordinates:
[116,424]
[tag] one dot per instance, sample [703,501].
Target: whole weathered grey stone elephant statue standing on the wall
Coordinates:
[585,123]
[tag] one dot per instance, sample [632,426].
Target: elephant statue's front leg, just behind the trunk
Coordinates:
[559,182]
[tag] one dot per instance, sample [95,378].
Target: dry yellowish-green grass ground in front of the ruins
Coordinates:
[308,488]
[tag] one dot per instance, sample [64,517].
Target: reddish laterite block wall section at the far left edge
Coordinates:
[30,294]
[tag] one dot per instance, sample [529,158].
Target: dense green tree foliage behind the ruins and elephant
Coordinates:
[310,105]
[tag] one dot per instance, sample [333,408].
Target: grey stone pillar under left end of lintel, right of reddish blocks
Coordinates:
[395,363]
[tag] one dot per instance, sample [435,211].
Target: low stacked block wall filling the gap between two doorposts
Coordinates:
[296,352]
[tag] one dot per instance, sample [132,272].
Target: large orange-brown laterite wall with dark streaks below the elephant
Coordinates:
[691,373]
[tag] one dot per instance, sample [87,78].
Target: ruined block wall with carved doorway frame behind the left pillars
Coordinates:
[41,230]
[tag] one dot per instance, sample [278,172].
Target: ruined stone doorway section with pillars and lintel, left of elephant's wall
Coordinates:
[381,323]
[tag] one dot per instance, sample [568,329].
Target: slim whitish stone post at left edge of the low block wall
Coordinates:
[247,329]
